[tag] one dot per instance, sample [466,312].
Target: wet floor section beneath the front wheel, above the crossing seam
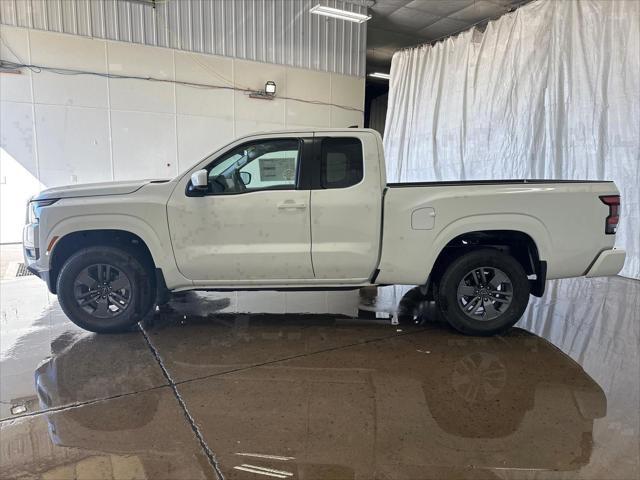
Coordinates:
[49,362]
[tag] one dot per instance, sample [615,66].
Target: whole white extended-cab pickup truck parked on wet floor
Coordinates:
[312,210]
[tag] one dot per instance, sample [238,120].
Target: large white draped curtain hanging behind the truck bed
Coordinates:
[551,90]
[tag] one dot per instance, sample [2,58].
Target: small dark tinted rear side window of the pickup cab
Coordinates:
[341,162]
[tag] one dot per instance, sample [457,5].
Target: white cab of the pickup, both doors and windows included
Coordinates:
[297,208]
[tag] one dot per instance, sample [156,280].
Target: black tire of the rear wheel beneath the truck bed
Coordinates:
[451,304]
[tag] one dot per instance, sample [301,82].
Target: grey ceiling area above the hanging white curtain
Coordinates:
[403,23]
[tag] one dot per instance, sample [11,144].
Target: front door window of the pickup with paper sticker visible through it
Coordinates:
[268,164]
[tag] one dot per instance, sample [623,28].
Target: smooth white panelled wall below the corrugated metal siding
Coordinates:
[63,129]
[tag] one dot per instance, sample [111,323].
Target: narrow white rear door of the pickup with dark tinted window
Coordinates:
[346,206]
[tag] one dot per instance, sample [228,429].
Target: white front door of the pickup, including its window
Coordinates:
[252,223]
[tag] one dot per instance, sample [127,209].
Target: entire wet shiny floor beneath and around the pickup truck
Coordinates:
[323,396]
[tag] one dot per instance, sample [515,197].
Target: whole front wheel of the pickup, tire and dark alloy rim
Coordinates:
[105,289]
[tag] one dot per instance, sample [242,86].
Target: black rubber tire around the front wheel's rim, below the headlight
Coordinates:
[140,289]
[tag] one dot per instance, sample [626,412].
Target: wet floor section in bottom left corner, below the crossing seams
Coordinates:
[141,436]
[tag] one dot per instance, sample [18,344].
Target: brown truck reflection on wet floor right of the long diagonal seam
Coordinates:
[418,400]
